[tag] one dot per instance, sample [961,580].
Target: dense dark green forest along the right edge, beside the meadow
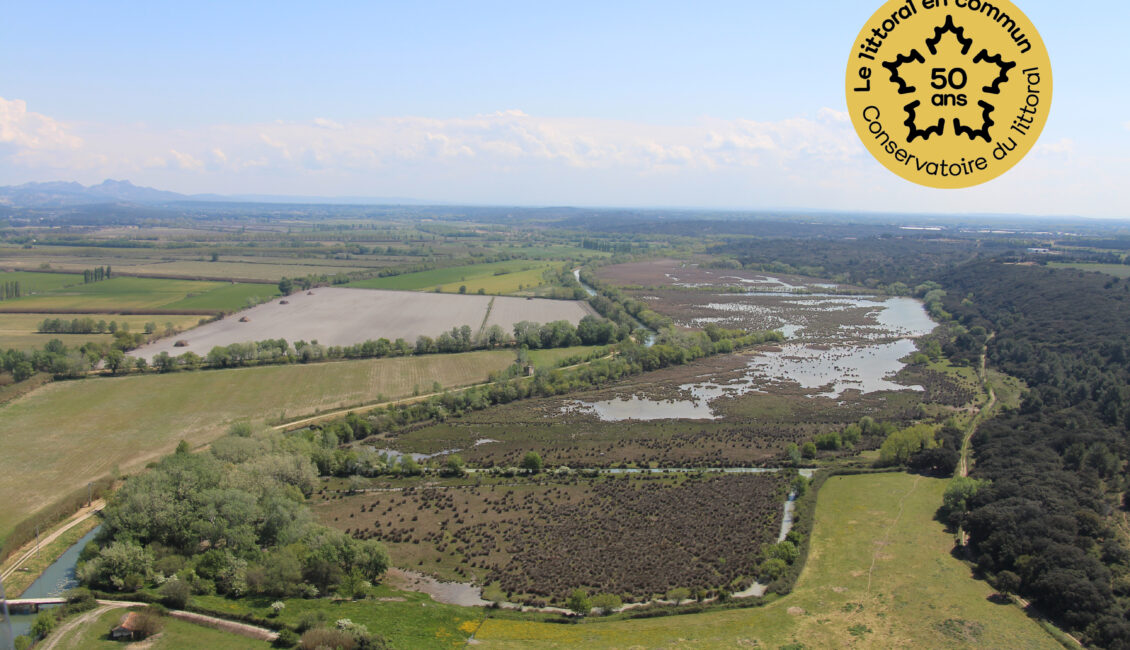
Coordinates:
[1050,478]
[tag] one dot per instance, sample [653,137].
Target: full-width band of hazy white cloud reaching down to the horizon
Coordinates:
[510,157]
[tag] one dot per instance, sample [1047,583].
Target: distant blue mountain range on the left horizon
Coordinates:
[59,194]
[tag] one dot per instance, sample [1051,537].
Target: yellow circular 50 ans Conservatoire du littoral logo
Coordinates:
[949,93]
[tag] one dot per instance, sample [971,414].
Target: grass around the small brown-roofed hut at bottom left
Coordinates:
[177,635]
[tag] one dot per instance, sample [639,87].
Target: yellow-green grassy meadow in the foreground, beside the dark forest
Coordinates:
[880,575]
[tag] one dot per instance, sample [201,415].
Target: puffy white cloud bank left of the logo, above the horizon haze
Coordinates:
[506,140]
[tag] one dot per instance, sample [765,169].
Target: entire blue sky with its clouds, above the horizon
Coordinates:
[735,105]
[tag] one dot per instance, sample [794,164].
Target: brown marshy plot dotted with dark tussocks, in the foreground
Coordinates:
[538,541]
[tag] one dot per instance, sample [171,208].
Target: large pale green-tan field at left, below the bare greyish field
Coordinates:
[67,434]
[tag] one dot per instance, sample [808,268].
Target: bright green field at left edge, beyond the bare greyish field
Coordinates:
[142,294]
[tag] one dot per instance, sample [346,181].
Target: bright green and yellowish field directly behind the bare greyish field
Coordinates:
[525,273]
